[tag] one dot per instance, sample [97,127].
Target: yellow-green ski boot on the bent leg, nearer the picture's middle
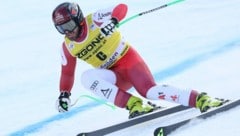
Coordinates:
[136,107]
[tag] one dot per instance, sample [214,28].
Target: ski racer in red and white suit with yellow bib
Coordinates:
[117,66]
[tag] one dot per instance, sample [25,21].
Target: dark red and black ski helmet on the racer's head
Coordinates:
[67,16]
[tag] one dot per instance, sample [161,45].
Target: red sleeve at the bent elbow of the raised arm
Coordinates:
[120,11]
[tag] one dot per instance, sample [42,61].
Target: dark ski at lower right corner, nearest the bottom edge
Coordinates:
[166,130]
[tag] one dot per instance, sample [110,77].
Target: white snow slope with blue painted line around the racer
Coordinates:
[192,44]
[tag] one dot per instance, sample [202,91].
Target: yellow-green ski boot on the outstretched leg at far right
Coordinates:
[205,102]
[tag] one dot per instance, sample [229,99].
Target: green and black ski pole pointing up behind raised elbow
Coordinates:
[149,11]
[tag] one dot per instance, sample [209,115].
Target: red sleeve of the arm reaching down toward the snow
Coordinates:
[68,70]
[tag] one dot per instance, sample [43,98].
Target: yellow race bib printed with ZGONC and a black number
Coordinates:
[97,49]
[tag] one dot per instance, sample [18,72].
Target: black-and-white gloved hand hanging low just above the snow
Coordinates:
[63,103]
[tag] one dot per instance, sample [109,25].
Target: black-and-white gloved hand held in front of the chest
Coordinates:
[108,28]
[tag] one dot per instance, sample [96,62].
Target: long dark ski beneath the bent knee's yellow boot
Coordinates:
[134,121]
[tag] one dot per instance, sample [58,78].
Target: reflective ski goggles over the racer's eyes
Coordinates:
[68,26]
